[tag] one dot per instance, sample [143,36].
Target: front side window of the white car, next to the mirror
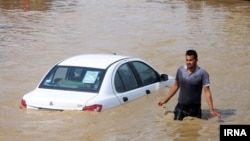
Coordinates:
[146,73]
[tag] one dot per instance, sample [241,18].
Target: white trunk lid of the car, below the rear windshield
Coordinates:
[57,99]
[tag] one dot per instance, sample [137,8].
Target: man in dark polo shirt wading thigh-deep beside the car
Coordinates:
[191,79]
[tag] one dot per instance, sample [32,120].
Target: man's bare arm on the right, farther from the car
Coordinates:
[209,99]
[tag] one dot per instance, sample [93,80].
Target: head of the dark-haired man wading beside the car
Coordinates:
[191,59]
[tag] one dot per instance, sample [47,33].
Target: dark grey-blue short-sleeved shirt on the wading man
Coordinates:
[191,85]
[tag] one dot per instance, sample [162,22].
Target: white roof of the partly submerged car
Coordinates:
[101,61]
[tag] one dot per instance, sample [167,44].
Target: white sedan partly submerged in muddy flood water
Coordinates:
[95,82]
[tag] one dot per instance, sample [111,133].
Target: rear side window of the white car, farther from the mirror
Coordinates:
[125,79]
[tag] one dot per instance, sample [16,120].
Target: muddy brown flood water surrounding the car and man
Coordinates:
[36,34]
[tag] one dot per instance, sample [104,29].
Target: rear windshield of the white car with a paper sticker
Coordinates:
[73,78]
